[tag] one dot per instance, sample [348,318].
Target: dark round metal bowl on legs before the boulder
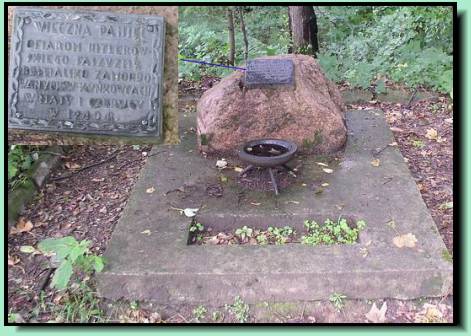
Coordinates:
[267,152]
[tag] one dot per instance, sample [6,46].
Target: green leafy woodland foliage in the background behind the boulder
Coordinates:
[359,45]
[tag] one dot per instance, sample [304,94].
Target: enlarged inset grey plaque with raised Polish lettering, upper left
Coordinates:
[86,72]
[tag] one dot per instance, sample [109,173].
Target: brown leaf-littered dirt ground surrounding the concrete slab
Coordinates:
[87,203]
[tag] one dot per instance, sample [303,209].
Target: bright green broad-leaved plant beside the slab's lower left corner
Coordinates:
[71,255]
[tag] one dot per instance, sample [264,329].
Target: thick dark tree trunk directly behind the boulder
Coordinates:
[304,30]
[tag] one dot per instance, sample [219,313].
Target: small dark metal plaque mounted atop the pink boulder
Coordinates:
[269,72]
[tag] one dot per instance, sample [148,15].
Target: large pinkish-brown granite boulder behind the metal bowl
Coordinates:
[310,113]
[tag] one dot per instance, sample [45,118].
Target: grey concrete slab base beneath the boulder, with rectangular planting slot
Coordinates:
[161,266]
